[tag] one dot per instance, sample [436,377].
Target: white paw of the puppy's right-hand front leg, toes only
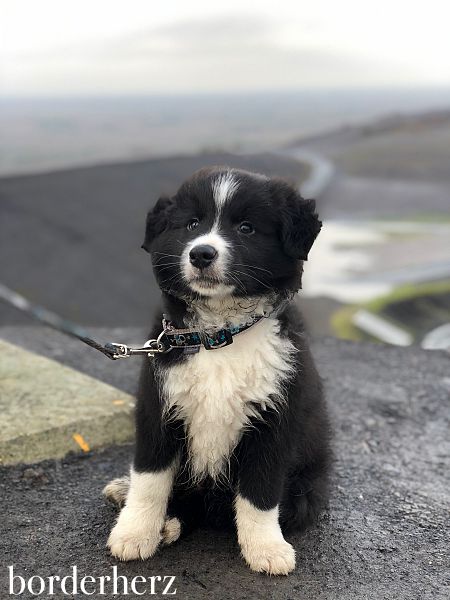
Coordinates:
[274,558]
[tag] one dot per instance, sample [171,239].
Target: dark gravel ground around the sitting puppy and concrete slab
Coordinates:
[385,534]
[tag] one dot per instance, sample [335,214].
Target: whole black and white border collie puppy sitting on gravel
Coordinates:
[231,423]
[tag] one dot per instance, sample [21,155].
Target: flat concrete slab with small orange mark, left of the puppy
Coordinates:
[49,410]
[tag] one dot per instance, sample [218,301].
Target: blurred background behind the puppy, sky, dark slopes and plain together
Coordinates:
[106,106]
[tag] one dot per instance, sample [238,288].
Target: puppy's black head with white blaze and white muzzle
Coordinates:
[230,232]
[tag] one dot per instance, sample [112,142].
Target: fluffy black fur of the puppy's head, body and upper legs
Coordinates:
[283,458]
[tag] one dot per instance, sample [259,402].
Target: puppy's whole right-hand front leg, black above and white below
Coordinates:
[261,477]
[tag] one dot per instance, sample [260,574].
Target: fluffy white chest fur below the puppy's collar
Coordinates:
[215,392]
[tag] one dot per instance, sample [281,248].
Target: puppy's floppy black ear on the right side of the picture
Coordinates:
[299,222]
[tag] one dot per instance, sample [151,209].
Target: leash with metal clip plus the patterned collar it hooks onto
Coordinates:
[190,340]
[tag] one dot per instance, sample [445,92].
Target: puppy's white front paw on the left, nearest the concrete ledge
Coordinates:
[134,537]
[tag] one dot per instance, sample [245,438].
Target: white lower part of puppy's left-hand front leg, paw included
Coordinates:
[139,528]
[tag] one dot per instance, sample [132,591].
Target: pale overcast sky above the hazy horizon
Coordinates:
[151,46]
